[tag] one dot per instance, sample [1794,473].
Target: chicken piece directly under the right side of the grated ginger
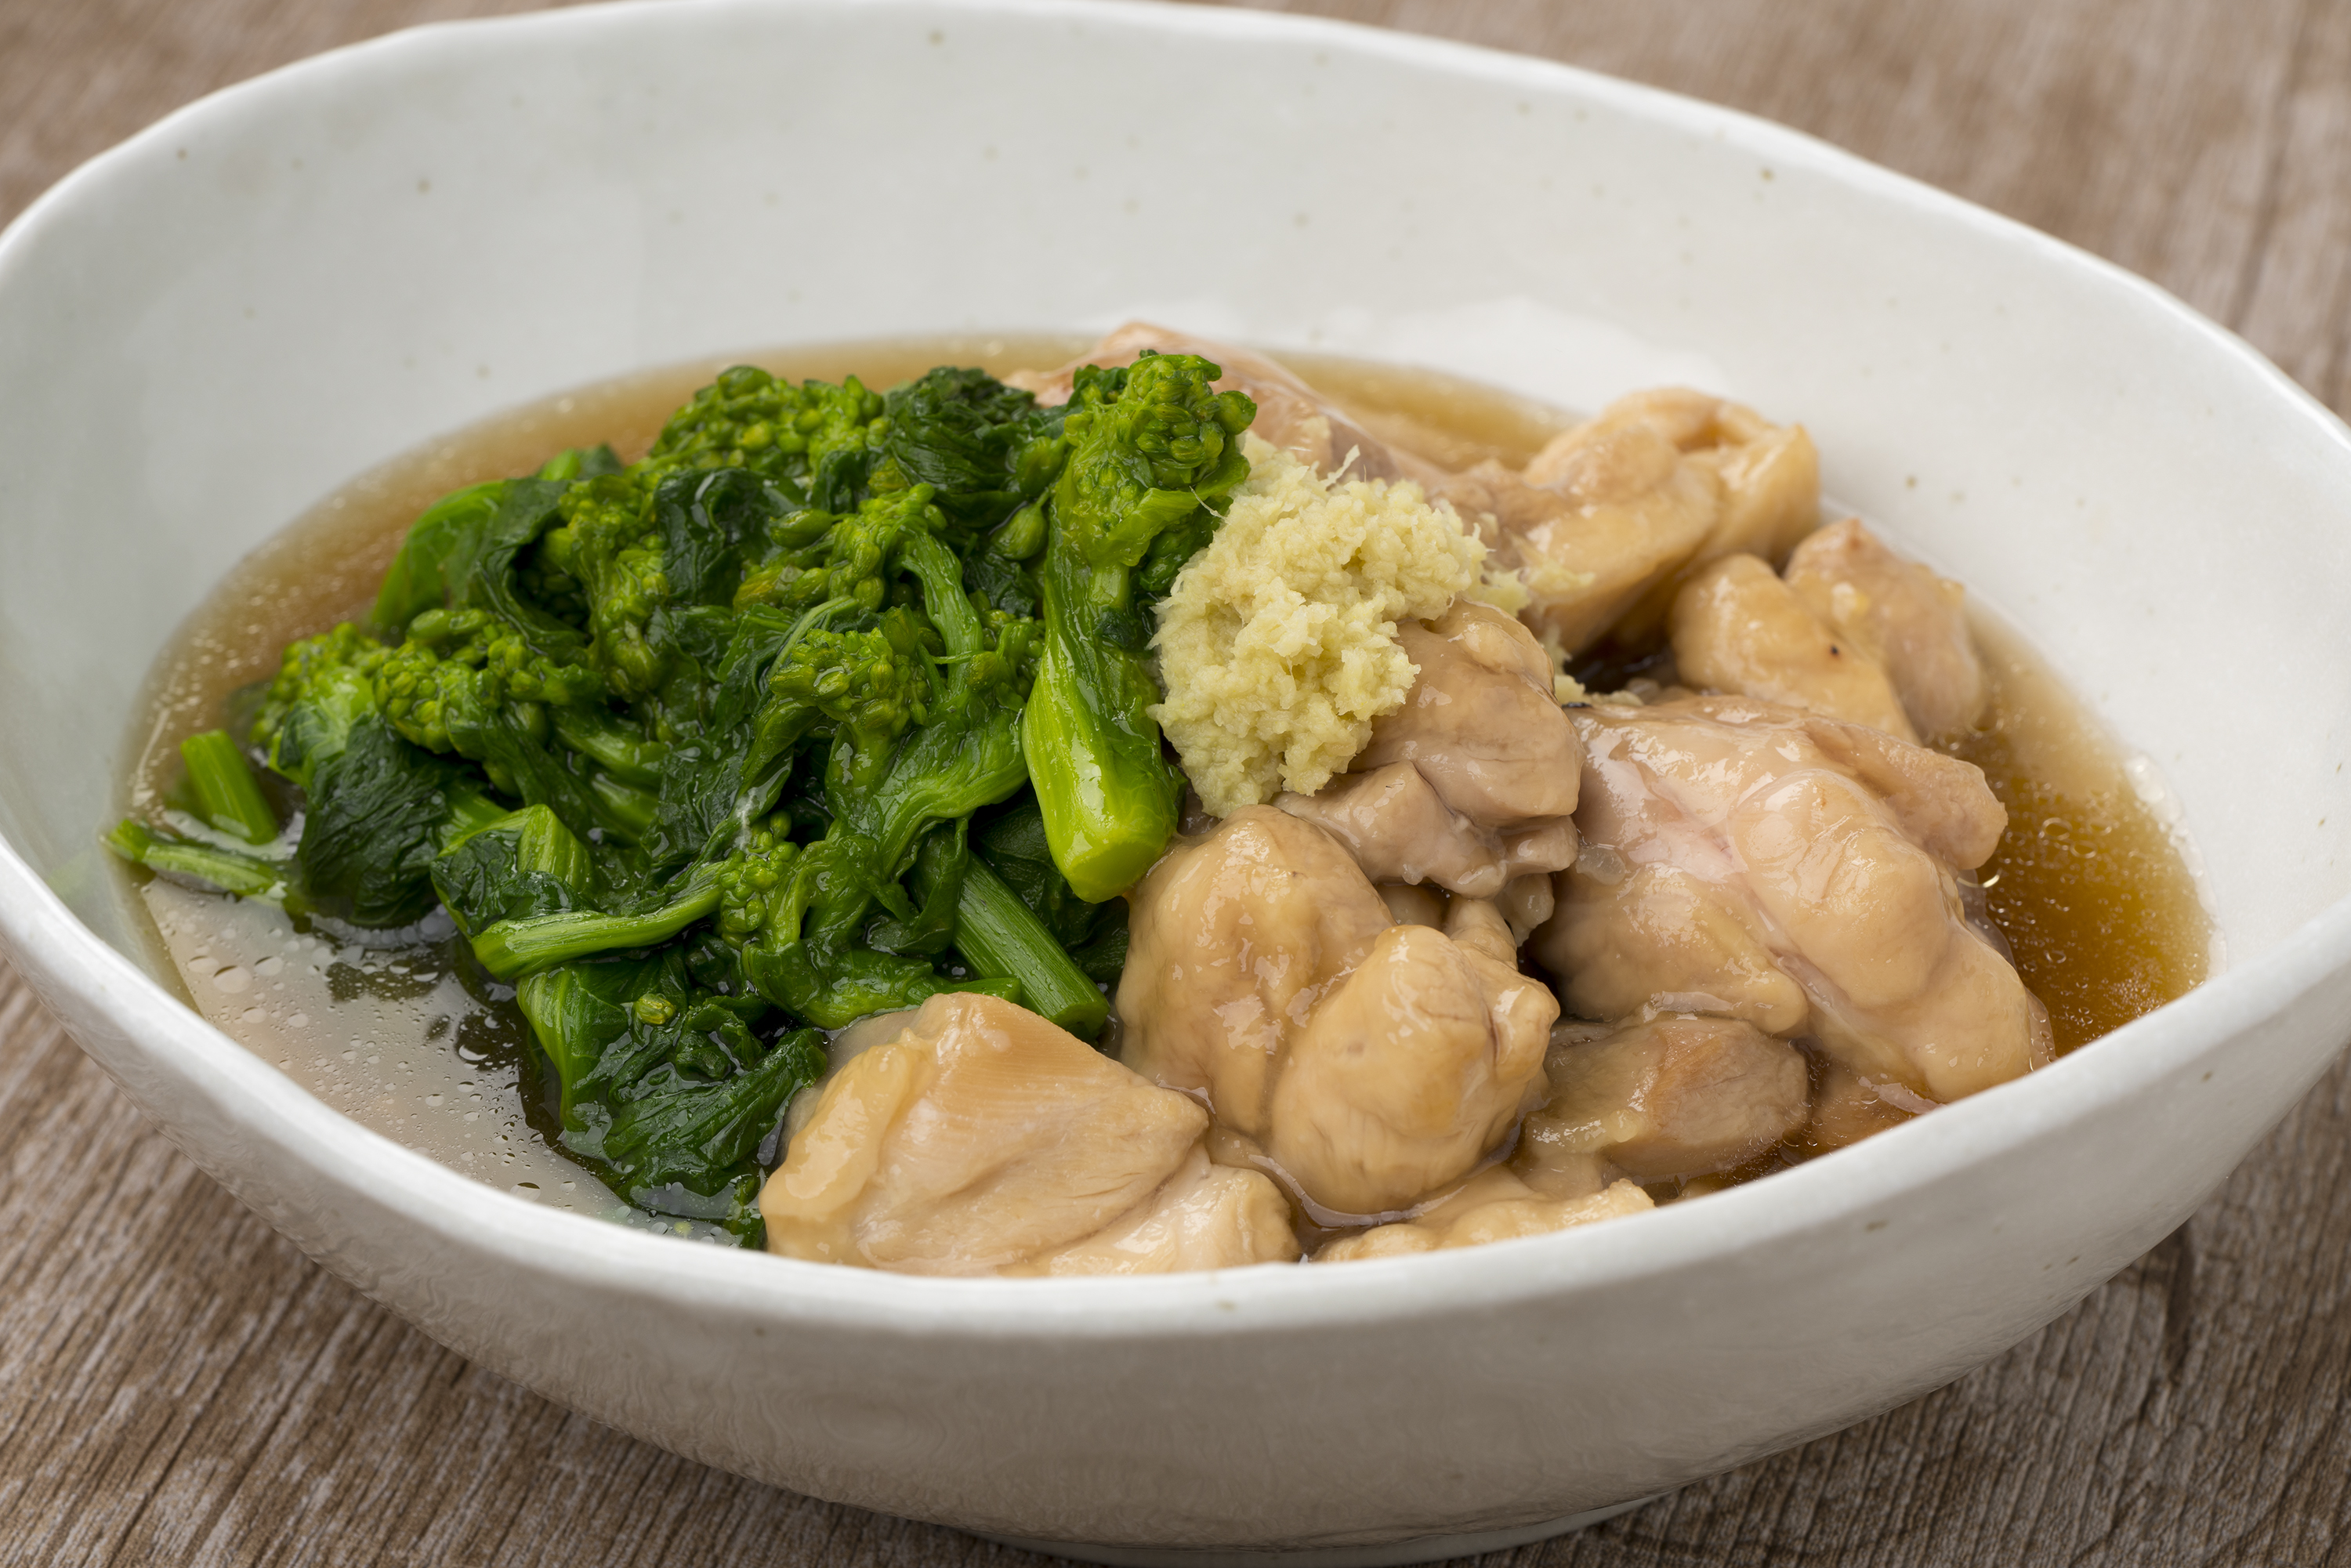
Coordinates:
[1473,782]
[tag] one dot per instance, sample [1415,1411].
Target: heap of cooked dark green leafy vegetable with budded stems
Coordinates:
[829,704]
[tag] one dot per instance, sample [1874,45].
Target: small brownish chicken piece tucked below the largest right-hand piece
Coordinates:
[1668,1099]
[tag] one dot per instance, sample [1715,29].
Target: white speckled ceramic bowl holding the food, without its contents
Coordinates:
[297,279]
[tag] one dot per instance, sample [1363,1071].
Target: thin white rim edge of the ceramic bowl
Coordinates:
[67,960]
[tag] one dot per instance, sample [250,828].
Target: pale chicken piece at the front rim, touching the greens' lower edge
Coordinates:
[984,1141]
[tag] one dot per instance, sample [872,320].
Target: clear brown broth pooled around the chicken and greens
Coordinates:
[2089,883]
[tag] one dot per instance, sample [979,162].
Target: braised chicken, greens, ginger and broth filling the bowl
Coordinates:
[1151,815]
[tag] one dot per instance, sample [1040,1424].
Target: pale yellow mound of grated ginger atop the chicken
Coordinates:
[1278,643]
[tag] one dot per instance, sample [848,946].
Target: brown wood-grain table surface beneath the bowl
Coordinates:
[178,1386]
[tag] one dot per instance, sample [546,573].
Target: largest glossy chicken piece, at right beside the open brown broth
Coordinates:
[1814,847]
